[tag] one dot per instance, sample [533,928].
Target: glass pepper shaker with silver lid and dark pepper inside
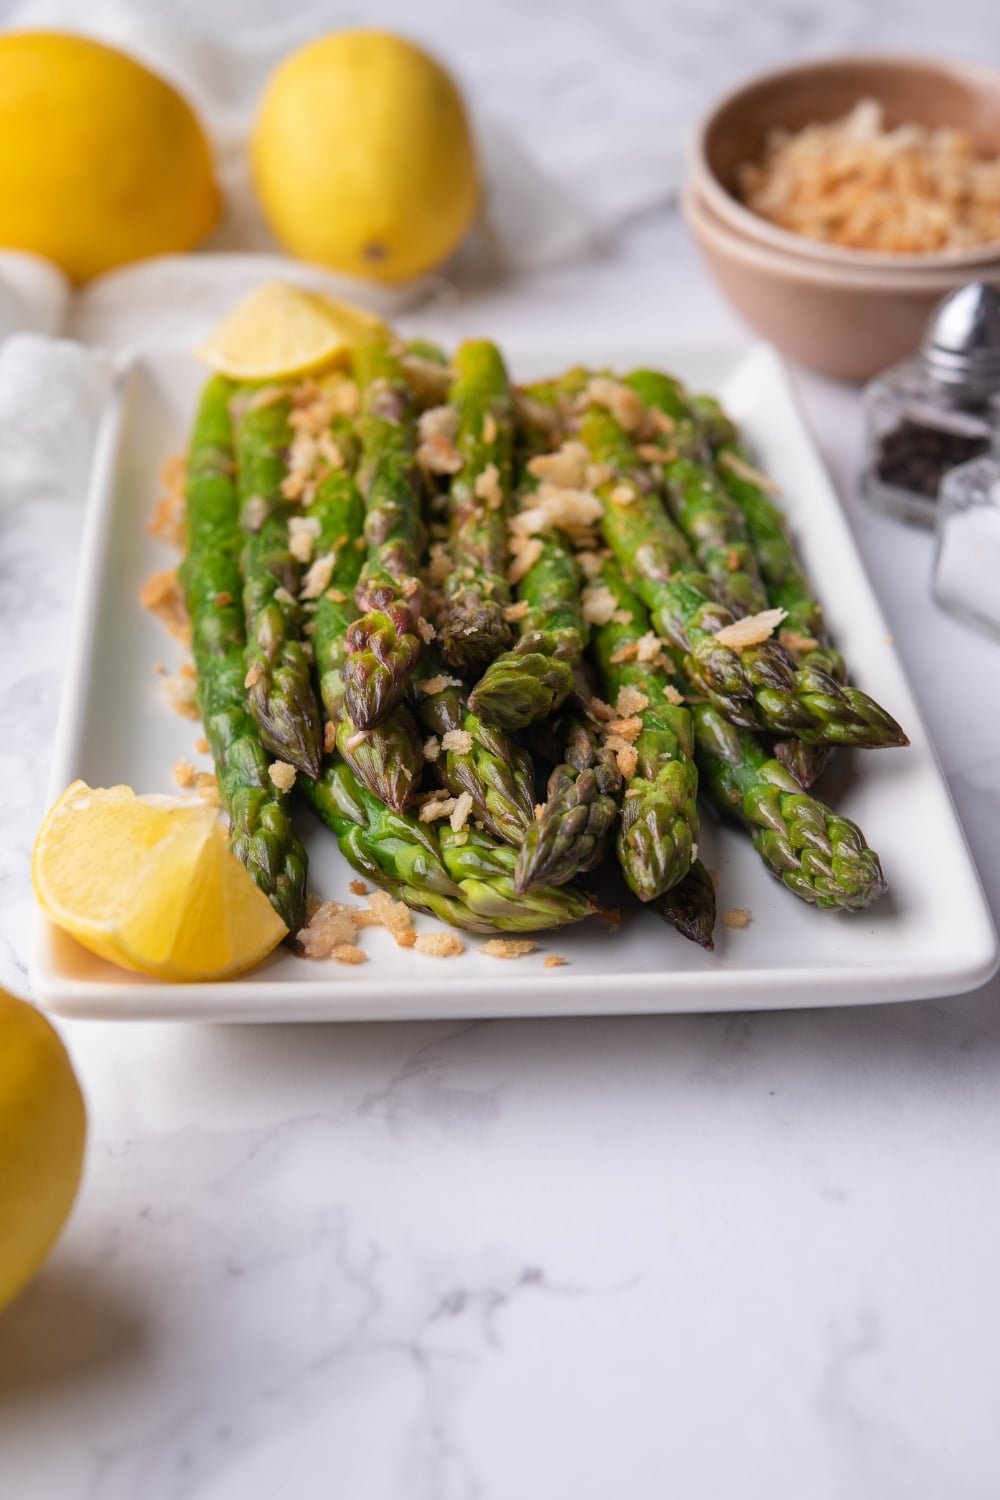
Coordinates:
[935,412]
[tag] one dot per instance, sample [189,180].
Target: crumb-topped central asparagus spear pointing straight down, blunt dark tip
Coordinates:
[472,623]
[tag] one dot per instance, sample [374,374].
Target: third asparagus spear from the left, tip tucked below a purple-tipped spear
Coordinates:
[388,758]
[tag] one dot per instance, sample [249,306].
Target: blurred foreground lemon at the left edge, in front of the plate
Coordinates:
[43,1133]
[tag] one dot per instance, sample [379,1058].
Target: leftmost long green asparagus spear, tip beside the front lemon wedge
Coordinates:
[260,826]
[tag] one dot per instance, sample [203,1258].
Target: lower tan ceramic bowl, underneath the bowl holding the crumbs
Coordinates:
[843,322]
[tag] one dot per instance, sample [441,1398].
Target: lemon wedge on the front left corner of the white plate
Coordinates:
[151,884]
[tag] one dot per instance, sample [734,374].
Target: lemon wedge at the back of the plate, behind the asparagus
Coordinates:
[280,332]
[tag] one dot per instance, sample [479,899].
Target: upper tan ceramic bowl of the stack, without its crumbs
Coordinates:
[912,91]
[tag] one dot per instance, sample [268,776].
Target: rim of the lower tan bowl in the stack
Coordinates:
[702,220]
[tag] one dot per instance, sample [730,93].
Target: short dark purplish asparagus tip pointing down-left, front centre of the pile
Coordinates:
[573,830]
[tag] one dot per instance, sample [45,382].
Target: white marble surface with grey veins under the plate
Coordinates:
[704,1258]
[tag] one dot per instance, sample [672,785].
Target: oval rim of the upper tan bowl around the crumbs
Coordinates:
[752,224]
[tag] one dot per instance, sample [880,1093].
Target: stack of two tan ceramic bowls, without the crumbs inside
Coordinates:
[846,313]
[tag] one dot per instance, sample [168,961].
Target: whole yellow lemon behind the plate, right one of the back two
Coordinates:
[364,157]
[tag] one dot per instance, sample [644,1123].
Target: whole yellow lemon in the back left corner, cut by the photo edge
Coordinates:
[101,163]
